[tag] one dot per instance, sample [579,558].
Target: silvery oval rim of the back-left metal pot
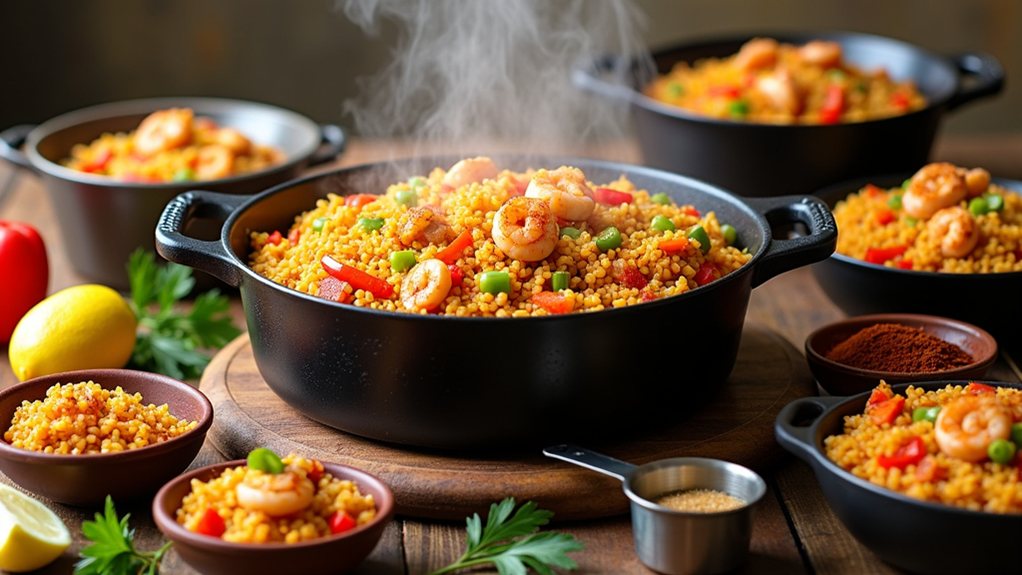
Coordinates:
[110,111]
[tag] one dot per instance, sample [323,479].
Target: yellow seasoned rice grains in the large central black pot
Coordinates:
[293,258]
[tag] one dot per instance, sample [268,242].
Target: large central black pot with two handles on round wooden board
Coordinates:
[483,382]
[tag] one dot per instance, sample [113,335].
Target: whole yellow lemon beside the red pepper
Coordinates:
[79,328]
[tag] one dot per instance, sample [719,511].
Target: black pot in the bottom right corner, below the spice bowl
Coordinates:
[920,537]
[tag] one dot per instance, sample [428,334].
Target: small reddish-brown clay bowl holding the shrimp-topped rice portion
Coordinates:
[213,556]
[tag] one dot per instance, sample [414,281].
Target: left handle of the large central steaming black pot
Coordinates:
[210,257]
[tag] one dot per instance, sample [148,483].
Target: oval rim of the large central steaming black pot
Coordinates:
[702,187]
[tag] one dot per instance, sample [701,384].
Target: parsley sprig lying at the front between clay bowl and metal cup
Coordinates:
[514,544]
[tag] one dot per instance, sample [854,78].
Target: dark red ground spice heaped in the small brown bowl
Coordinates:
[895,348]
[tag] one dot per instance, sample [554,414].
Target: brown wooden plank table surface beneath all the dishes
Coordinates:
[795,531]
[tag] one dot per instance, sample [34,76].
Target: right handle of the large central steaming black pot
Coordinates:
[785,255]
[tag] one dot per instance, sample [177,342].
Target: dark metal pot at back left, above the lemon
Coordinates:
[104,220]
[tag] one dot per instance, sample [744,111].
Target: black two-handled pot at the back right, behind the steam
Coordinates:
[764,160]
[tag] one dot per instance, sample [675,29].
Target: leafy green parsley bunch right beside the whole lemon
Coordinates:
[170,342]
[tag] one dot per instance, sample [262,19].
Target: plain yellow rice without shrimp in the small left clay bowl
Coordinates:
[85,418]
